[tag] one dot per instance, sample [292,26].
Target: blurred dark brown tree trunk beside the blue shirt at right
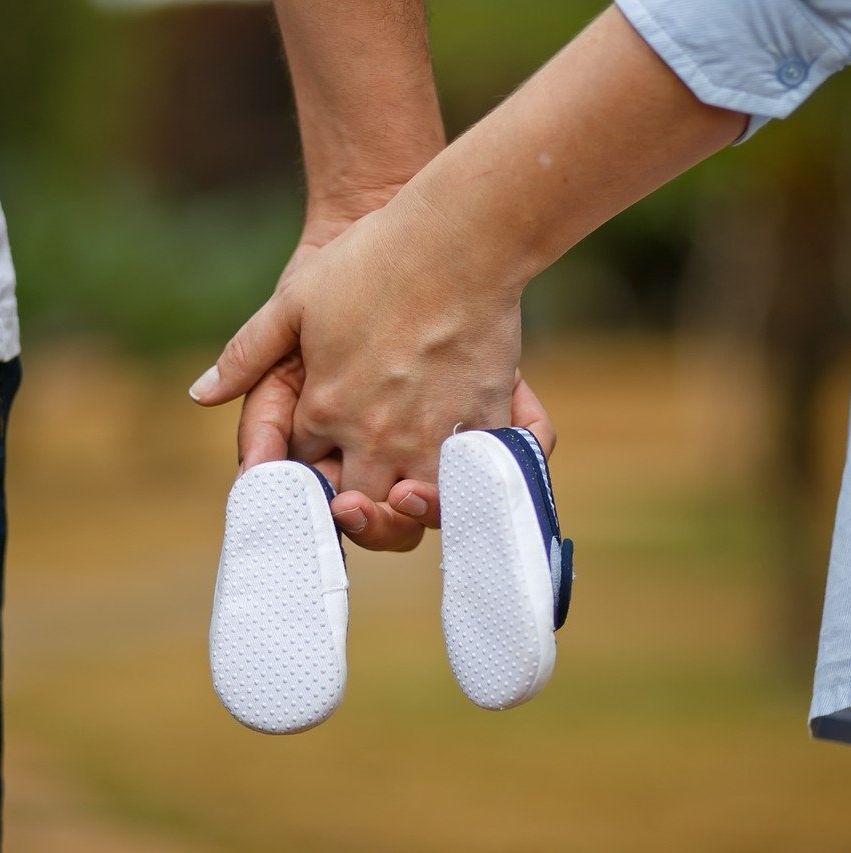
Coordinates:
[767,271]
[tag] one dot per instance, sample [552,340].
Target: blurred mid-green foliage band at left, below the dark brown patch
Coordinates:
[155,276]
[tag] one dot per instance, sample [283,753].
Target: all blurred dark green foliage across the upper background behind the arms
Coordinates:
[149,168]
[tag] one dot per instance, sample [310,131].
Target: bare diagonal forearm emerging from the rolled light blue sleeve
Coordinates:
[599,127]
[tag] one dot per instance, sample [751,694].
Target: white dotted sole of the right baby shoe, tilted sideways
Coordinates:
[497,590]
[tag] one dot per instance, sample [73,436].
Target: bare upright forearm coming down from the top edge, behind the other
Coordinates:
[366,100]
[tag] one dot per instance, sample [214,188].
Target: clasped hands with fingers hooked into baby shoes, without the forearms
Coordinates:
[377,341]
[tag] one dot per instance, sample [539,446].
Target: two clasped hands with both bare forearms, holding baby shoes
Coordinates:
[398,317]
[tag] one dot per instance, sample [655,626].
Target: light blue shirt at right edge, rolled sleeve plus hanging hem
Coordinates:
[765,58]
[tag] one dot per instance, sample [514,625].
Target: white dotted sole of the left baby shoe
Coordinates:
[280,611]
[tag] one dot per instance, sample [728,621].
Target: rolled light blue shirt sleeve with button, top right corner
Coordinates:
[760,57]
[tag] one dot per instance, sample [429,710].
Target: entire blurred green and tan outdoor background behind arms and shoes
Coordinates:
[693,354]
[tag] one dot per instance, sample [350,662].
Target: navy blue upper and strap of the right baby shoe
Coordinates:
[545,512]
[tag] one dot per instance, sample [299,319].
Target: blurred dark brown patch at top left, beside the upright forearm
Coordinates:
[216,108]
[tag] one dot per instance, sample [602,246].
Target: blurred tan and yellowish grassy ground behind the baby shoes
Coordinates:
[669,723]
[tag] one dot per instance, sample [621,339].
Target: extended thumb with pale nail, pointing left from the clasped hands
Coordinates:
[263,341]
